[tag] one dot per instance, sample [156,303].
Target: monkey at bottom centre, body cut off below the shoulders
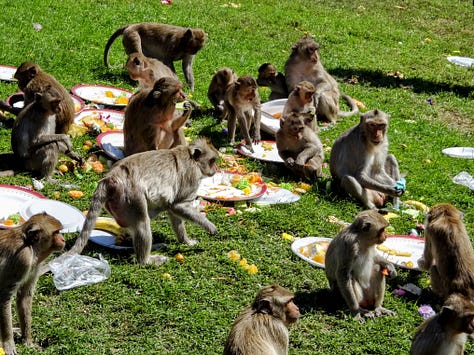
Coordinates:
[262,327]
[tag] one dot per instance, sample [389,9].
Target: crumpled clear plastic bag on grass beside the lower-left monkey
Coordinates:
[74,270]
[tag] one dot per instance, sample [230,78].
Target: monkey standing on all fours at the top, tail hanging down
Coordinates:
[164,42]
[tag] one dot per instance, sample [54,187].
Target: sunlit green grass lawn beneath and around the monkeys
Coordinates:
[137,311]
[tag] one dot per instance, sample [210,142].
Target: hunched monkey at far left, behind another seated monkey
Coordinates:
[31,80]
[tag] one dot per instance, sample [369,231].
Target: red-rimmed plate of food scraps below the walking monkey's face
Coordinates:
[219,188]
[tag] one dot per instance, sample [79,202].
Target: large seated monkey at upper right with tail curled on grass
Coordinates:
[304,64]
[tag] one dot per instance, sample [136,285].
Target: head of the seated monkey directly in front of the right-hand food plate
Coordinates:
[370,227]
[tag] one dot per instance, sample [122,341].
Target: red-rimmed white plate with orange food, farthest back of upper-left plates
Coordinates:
[97,94]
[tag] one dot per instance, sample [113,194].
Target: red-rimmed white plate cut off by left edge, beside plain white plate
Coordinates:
[12,198]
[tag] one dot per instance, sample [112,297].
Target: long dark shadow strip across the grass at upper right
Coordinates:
[377,78]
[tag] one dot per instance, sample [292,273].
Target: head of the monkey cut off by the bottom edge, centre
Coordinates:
[278,302]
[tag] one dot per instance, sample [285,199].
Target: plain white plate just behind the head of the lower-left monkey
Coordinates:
[71,218]
